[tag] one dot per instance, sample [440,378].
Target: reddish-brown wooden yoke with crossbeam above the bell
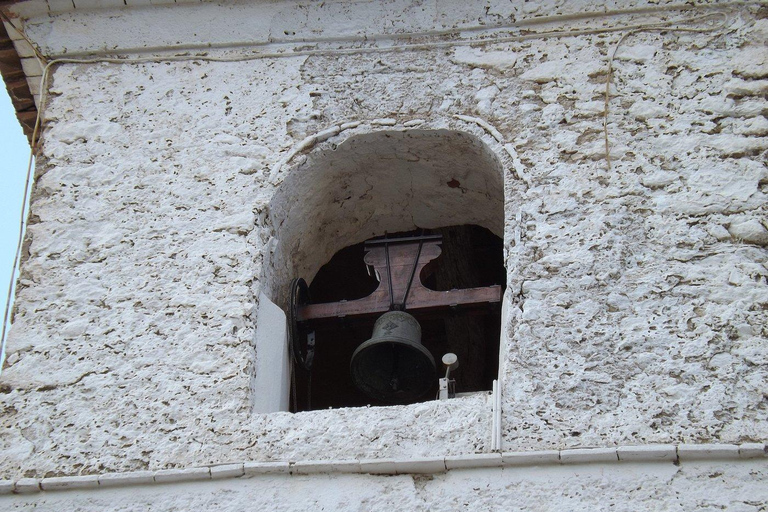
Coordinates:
[405,258]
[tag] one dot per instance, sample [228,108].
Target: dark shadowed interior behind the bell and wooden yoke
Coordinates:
[471,257]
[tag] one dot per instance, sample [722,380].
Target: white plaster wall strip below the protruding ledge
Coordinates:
[704,486]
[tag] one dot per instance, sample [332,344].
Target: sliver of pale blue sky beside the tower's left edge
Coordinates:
[14,153]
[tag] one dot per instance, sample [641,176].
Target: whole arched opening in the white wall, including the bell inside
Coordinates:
[404,221]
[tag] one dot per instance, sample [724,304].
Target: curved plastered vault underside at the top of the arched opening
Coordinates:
[376,182]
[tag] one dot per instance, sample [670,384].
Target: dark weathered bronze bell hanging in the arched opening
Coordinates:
[393,366]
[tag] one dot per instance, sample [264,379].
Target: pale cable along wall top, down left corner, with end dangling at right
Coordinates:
[627,29]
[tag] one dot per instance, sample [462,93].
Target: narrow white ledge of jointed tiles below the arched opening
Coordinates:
[425,465]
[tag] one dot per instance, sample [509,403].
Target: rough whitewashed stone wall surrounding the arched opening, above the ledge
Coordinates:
[639,294]
